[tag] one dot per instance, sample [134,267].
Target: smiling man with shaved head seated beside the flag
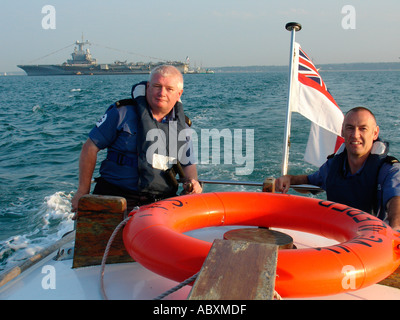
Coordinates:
[360,174]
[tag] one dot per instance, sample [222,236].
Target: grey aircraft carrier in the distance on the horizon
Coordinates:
[82,63]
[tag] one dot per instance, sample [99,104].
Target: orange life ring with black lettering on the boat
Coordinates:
[368,249]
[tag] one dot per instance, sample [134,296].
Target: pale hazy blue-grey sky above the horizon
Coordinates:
[213,33]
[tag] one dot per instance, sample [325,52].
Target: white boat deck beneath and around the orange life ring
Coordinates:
[131,281]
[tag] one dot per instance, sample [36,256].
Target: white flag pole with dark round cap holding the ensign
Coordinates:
[292,27]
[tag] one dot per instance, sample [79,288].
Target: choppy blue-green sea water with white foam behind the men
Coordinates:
[45,120]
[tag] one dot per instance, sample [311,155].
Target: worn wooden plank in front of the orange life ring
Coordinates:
[237,270]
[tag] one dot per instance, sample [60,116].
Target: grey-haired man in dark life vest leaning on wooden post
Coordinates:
[142,136]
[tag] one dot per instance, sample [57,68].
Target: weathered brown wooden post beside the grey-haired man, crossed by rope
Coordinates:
[98,216]
